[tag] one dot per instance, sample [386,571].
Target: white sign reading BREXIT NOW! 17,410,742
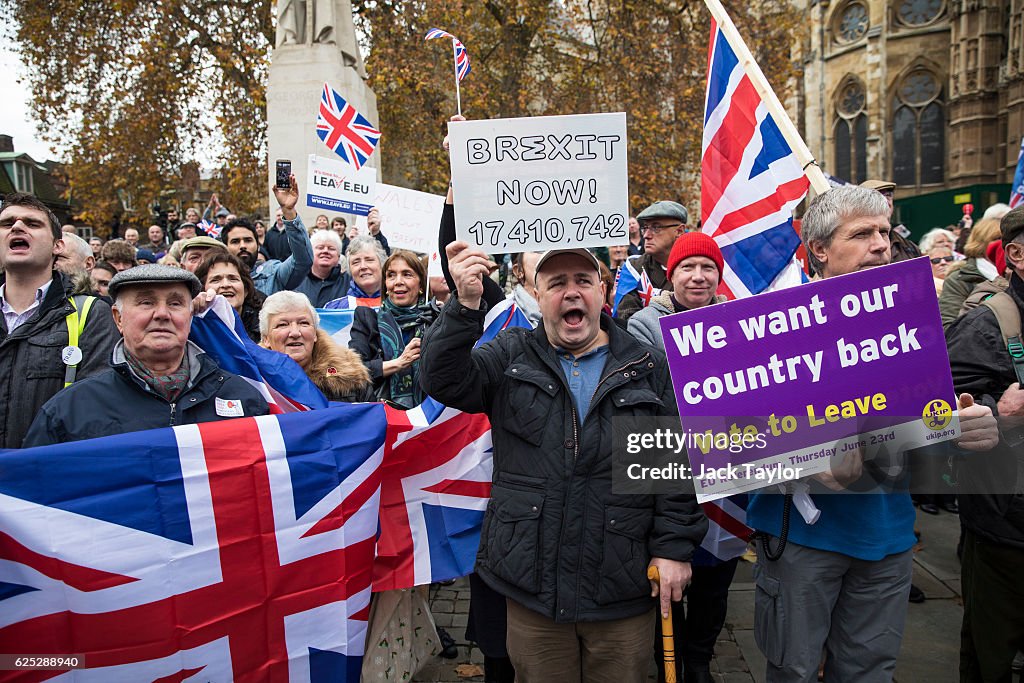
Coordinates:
[541,183]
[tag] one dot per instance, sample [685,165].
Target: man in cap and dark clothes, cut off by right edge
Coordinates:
[993,513]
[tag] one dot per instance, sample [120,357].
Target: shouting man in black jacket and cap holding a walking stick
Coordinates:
[570,554]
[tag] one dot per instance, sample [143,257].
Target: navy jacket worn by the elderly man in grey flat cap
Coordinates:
[118,401]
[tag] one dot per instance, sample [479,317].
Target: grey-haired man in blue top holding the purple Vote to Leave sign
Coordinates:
[842,585]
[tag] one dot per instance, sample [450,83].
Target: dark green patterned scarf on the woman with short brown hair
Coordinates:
[399,325]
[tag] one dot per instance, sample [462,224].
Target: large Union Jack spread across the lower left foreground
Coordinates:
[229,551]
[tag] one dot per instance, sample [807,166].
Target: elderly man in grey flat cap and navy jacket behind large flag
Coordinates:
[158,377]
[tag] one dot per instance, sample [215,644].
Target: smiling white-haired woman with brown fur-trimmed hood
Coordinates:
[290,325]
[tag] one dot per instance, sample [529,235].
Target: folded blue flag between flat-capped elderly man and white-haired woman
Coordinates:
[221,333]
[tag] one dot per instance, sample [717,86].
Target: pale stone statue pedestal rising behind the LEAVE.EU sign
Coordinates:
[315,45]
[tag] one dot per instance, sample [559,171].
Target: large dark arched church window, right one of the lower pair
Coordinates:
[919,131]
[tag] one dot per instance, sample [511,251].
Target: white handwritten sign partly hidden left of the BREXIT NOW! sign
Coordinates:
[409,219]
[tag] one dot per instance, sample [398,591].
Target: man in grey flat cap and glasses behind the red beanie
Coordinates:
[661,224]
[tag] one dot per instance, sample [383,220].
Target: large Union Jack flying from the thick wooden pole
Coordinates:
[751,181]
